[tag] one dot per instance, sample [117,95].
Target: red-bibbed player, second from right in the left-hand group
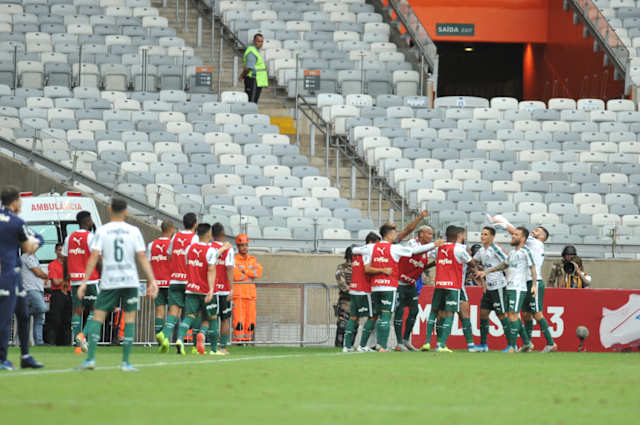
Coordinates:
[200,301]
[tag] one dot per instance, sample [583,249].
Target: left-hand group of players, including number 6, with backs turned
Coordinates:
[189,271]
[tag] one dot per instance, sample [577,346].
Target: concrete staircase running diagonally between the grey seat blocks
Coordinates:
[273,106]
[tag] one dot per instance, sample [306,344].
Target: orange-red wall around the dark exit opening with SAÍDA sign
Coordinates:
[557,62]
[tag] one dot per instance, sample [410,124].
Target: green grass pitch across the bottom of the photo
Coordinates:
[267,385]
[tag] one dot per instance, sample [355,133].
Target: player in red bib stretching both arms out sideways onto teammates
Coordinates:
[385,256]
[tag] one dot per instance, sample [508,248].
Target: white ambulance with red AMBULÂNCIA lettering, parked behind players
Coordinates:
[53,215]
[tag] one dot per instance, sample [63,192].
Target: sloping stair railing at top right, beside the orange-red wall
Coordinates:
[606,36]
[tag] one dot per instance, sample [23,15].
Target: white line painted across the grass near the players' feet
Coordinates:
[161,364]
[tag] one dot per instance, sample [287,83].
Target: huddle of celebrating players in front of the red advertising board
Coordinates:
[384,276]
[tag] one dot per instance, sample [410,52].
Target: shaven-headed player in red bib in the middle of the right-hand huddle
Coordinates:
[411,268]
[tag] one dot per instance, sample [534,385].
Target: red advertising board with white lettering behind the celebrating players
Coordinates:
[612,317]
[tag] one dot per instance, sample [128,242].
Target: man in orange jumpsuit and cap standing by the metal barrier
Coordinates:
[245,271]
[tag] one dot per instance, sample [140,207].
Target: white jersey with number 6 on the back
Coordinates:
[118,244]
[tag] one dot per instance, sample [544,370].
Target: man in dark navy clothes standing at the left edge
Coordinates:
[14,235]
